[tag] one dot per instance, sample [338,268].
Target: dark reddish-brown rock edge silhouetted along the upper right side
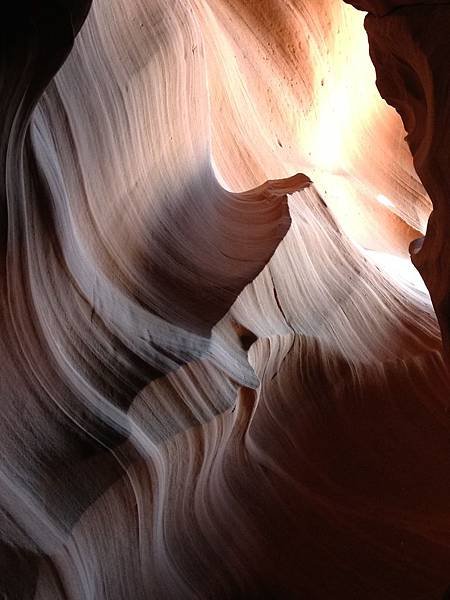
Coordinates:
[410,49]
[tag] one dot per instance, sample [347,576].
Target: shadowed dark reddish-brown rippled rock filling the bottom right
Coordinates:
[292,482]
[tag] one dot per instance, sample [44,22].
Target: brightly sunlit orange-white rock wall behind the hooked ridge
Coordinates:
[301,90]
